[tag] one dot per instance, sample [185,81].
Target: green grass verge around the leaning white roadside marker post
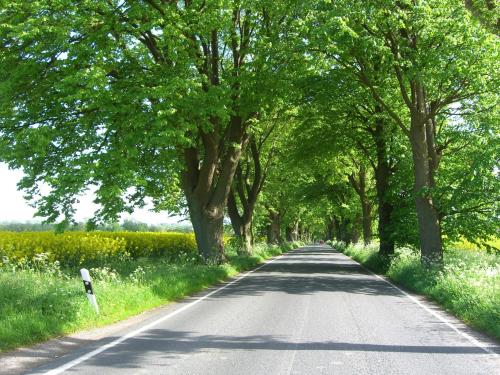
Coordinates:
[39,301]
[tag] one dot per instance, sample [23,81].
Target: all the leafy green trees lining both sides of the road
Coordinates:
[293,119]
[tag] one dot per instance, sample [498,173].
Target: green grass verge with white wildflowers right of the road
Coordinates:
[468,286]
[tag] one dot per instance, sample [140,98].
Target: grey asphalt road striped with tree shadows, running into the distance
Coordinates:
[312,311]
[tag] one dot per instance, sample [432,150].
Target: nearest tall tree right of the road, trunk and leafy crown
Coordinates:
[435,55]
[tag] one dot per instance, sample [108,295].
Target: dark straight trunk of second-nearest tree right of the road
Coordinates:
[383,173]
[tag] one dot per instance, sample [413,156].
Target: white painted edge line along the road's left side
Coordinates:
[113,343]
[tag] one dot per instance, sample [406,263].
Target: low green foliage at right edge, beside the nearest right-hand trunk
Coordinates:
[469,182]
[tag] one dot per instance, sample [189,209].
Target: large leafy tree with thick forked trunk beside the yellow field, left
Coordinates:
[137,98]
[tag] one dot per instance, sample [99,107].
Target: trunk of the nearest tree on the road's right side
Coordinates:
[429,226]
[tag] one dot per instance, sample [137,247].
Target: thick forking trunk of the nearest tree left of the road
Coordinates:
[210,162]
